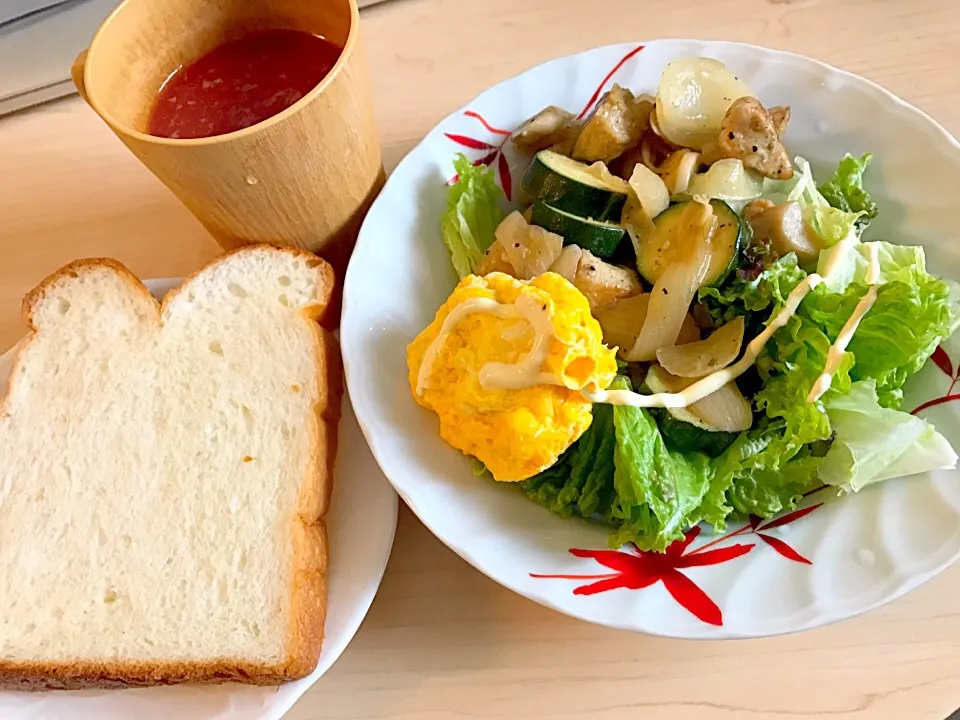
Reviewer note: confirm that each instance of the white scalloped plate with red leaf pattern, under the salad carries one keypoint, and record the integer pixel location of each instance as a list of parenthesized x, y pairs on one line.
[(798, 572)]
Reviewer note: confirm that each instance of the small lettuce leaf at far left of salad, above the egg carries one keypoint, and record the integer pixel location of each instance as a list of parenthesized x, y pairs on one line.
[(472, 215)]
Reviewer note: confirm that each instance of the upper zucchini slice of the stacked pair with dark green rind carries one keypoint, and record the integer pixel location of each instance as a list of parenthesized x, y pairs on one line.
[(572, 187)]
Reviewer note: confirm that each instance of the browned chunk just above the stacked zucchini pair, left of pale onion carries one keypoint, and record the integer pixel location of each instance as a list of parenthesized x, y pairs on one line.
[(616, 125)]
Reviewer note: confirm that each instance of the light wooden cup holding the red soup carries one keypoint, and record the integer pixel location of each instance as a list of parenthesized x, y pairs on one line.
[(304, 177)]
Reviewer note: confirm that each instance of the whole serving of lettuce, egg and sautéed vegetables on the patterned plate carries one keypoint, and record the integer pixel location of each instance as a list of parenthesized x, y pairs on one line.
[(683, 325)]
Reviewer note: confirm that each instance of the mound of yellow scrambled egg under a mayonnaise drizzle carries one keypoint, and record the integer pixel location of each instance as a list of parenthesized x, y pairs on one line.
[(515, 433)]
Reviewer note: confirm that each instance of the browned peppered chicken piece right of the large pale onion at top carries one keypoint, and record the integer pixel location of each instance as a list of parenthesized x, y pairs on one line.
[(749, 133)]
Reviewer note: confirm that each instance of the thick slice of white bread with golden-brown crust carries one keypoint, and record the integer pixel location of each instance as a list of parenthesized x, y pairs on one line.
[(164, 472)]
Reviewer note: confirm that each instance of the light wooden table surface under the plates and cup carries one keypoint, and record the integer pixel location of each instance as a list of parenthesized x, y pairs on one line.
[(441, 640)]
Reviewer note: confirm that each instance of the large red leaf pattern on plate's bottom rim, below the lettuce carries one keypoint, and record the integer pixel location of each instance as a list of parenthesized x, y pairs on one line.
[(635, 569)]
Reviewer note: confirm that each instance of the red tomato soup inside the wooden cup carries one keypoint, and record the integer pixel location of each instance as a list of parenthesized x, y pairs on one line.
[(241, 83)]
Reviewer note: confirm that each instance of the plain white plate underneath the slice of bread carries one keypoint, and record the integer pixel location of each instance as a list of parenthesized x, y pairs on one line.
[(361, 524)]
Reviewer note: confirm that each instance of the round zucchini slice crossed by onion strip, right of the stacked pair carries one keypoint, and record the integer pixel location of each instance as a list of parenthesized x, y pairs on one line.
[(666, 244)]
